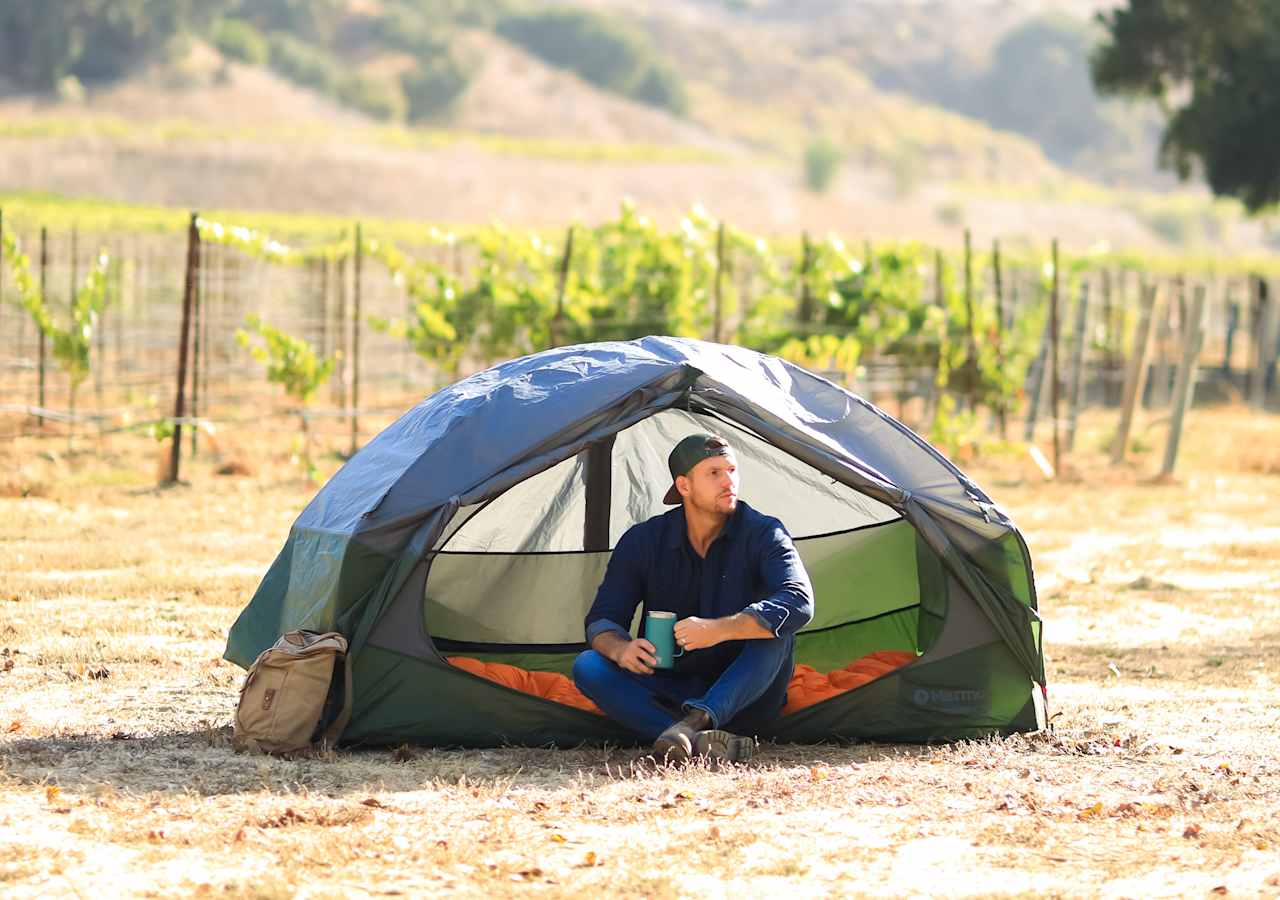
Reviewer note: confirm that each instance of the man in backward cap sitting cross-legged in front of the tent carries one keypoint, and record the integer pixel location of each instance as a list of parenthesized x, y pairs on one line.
[(740, 593)]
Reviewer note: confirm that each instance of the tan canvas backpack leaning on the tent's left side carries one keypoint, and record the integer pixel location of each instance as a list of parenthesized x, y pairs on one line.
[(289, 702)]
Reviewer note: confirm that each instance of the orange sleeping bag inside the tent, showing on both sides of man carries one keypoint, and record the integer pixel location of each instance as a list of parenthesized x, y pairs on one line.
[(808, 686)]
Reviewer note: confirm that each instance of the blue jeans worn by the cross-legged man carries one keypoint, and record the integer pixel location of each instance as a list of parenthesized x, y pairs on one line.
[(746, 698)]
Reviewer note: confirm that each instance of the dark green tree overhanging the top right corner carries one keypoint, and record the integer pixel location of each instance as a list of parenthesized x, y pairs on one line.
[(1213, 68)]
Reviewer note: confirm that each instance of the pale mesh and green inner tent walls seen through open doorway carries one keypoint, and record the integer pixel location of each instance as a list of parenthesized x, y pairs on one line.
[(513, 579)]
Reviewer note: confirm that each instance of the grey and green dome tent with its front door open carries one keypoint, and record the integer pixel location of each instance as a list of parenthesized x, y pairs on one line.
[(481, 524)]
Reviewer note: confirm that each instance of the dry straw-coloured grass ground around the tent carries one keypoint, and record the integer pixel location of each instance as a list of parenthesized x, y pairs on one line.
[(1159, 778)]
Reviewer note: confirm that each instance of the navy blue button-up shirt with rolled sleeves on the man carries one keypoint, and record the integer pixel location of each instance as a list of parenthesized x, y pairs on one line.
[(752, 567)]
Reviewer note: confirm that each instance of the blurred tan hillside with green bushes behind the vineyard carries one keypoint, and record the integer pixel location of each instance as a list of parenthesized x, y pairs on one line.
[(877, 118)]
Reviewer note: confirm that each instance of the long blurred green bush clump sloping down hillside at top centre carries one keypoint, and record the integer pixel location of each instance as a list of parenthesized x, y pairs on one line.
[(602, 51)]
